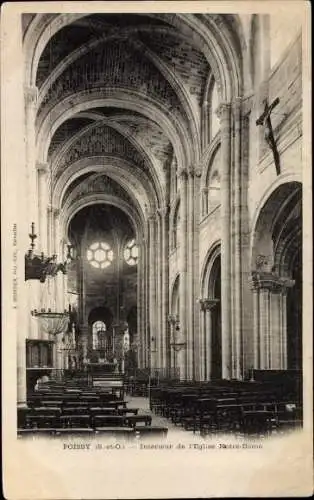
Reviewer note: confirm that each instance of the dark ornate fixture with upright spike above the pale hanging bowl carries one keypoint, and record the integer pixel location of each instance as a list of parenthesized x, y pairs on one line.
[(38, 267)]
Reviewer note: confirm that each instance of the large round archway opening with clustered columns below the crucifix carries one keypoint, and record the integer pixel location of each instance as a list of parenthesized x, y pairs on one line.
[(277, 278)]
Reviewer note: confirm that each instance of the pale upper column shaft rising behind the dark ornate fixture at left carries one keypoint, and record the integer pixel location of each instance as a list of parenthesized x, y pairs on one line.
[(42, 173)]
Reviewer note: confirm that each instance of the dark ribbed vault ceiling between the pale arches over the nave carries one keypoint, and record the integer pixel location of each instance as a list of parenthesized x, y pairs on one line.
[(114, 54)]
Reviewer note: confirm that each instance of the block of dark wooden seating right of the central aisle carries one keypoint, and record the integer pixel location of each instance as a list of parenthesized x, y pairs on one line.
[(236, 407)]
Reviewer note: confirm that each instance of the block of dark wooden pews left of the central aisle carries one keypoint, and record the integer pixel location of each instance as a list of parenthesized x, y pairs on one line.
[(61, 410)]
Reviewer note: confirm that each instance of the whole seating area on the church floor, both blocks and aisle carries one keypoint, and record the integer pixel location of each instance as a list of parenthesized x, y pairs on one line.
[(125, 409)]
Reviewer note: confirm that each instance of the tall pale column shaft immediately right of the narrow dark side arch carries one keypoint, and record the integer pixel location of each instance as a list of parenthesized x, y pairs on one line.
[(225, 130)]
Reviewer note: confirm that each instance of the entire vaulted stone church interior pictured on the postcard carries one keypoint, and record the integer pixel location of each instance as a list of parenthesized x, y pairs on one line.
[(157, 221)]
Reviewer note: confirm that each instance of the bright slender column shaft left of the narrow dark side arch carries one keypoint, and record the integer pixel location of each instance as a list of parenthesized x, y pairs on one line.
[(182, 355)]
